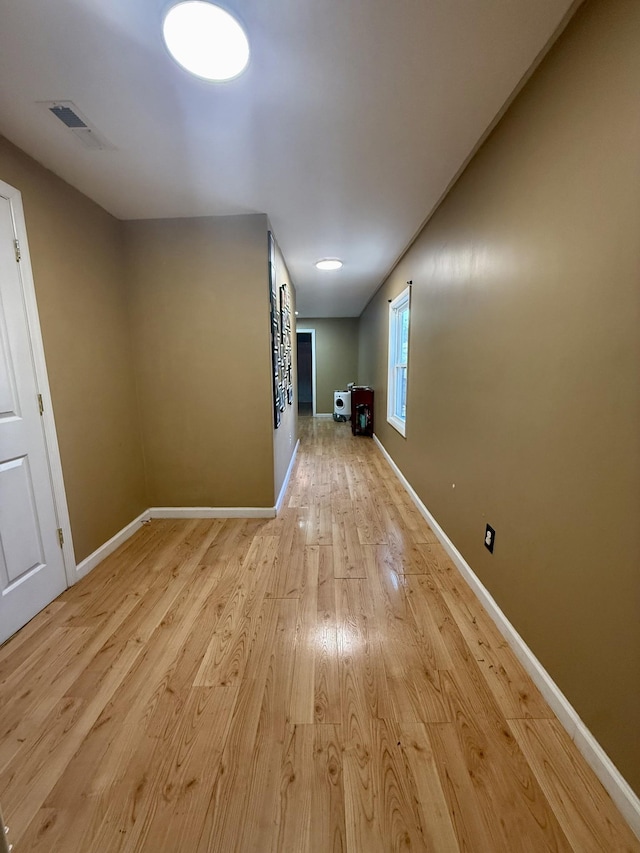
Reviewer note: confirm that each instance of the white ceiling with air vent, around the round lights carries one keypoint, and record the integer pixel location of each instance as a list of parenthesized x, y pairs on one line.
[(352, 119)]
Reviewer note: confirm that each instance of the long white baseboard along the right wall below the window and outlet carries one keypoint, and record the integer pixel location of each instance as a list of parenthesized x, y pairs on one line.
[(614, 782)]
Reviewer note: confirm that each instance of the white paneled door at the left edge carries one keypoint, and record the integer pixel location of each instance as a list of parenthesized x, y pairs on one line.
[(31, 561)]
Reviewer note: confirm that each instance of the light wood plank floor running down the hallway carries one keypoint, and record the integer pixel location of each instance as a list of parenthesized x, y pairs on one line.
[(320, 682)]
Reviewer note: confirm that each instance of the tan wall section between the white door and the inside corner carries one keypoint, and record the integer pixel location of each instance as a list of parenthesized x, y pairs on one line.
[(77, 258)]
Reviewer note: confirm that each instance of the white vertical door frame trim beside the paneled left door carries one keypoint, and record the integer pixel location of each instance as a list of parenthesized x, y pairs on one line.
[(52, 448)]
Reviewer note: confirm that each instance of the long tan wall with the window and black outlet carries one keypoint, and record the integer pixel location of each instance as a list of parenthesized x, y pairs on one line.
[(524, 388)]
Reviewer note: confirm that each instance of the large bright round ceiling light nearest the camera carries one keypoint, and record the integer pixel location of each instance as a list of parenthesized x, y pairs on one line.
[(206, 40)]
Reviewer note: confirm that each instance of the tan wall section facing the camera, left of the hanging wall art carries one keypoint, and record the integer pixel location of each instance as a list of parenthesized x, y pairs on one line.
[(200, 310)]
